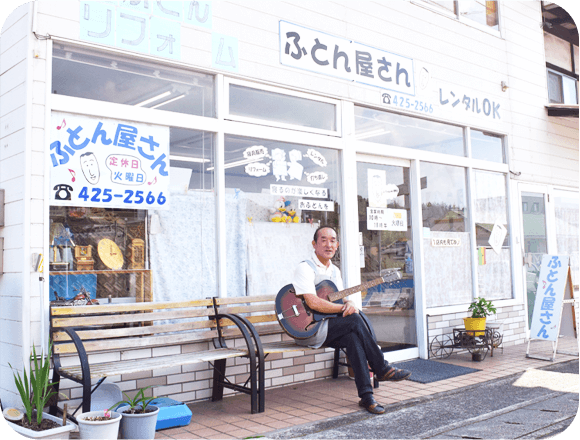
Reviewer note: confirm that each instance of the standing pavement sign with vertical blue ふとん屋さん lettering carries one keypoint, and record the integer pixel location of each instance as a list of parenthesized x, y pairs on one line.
[(549, 297)]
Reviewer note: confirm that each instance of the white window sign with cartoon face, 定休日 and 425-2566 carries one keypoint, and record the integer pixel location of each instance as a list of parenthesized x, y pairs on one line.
[(106, 163)]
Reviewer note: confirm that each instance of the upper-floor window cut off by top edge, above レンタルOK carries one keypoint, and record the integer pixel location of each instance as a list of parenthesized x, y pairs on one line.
[(482, 12)]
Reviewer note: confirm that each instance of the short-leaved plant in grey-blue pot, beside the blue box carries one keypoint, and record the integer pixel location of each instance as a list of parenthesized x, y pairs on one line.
[(139, 418)]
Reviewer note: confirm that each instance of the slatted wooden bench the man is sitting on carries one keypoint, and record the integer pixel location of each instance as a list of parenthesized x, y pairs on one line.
[(259, 312)]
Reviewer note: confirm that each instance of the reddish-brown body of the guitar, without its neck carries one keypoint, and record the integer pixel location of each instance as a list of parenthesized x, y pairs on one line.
[(295, 317)]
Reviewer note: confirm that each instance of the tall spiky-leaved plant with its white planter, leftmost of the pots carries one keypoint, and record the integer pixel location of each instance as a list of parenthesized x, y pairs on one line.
[(35, 392)]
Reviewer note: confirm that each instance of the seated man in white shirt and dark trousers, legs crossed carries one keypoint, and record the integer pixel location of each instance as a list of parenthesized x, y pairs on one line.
[(347, 331)]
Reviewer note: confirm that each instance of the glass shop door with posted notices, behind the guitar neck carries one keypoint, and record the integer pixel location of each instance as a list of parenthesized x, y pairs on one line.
[(386, 242)]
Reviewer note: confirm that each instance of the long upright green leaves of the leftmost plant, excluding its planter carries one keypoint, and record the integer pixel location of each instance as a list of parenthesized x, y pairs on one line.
[(35, 391)]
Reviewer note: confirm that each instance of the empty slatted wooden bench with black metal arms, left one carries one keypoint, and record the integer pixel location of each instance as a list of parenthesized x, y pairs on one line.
[(97, 332)]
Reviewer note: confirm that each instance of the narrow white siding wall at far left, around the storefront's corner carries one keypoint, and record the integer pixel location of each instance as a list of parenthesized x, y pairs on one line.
[(14, 47)]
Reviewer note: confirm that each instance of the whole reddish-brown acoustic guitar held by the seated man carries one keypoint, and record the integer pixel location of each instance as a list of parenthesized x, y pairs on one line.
[(300, 321)]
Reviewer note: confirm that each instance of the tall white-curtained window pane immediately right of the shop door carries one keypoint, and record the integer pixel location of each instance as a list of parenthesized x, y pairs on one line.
[(446, 235)]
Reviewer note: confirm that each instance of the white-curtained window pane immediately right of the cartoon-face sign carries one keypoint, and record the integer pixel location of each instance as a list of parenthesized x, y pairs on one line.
[(183, 238)]
